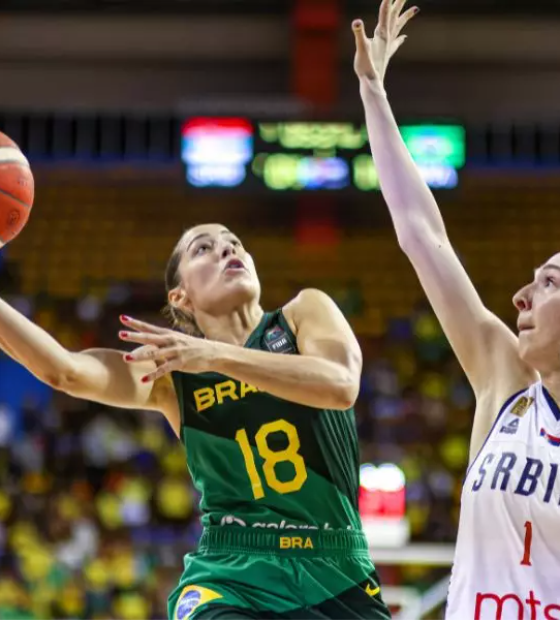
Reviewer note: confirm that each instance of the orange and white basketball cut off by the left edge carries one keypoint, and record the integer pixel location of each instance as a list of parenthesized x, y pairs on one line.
[(17, 189)]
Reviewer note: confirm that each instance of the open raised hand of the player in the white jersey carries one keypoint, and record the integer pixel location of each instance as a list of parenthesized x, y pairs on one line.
[(373, 55)]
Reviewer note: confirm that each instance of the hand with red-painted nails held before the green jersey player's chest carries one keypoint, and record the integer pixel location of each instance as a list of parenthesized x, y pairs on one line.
[(169, 349)]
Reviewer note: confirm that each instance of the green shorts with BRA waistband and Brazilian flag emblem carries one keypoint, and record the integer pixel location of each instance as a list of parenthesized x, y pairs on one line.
[(240, 573)]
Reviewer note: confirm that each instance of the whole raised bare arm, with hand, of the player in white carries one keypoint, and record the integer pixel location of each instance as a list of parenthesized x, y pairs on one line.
[(485, 347)]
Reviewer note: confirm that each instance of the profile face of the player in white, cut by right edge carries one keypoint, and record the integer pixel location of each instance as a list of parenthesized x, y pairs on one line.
[(539, 318)]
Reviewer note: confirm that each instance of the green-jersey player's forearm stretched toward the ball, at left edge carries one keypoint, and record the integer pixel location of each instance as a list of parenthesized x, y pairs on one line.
[(32, 347)]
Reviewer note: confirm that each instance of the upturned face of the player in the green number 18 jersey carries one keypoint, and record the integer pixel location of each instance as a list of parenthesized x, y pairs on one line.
[(217, 274)]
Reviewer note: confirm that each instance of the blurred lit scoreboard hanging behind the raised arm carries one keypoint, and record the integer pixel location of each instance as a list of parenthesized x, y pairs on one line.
[(297, 156)]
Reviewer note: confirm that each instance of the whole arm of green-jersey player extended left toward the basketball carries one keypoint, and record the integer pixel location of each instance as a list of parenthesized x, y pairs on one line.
[(99, 375)]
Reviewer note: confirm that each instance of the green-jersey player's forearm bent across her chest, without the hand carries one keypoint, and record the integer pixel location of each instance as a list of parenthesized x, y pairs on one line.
[(306, 380)]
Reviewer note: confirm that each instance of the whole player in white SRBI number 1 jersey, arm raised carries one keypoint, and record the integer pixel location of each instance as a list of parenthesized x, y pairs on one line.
[(507, 562)]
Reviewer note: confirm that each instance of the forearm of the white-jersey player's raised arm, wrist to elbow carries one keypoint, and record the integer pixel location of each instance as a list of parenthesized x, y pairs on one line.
[(410, 201)]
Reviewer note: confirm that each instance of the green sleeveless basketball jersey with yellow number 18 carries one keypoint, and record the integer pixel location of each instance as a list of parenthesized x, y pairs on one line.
[(260, 461)]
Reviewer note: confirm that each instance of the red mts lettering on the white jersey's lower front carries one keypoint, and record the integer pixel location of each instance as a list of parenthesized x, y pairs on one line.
[(490, 606)]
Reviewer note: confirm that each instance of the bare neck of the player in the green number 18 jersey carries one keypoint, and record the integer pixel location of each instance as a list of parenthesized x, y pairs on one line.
[(234, 327)]
